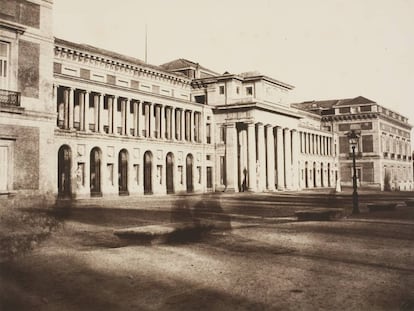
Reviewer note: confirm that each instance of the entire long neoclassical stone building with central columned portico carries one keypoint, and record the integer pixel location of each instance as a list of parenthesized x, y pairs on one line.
[(77, 121)]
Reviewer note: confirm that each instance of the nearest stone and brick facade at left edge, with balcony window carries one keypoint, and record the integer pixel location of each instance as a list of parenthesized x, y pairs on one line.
[(26, 115)]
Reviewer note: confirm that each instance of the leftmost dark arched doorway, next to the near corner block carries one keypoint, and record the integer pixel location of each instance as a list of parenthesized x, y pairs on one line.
[(64, 168)]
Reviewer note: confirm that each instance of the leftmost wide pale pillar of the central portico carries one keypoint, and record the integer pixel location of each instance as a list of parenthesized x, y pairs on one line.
[(231, 158)]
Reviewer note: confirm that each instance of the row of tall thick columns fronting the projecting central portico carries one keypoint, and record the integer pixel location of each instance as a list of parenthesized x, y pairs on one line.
[(261, 157)]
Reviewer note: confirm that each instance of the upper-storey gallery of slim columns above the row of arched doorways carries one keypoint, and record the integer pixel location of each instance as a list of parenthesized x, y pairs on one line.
[(111, 114)]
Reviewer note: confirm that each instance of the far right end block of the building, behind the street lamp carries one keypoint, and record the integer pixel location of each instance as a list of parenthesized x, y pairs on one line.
[(384, 159)]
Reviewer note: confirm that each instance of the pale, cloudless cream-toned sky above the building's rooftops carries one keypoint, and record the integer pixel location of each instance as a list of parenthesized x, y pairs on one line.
[(327, 49)]
